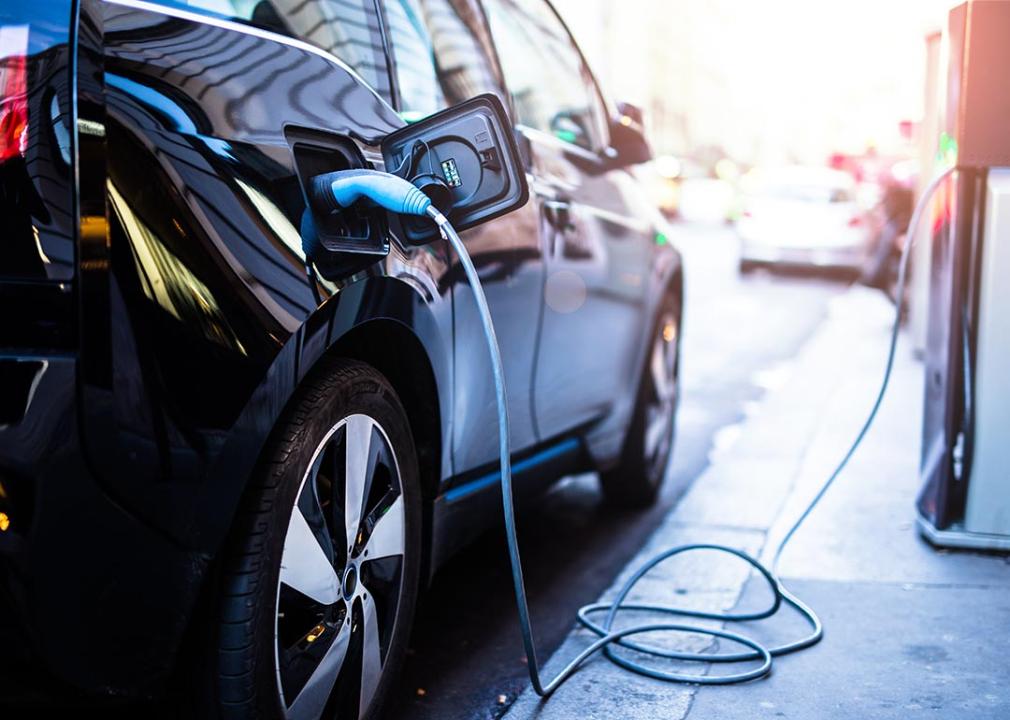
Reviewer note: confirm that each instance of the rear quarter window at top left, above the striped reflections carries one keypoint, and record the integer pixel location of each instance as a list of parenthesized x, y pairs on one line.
[(349, 30)]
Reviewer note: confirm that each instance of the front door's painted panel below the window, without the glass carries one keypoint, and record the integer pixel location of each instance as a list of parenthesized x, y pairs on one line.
[(599, 260)]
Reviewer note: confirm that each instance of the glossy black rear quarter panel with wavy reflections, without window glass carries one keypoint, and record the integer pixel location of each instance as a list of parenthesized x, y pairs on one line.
[(208, 279)]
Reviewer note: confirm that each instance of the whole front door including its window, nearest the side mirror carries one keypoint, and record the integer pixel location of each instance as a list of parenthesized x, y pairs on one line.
[(597, 226)]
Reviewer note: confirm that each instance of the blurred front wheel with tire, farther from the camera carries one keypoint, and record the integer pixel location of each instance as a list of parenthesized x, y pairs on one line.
[(637, 481)]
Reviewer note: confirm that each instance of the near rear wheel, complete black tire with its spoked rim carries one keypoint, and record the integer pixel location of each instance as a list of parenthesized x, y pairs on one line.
[(316, 604)]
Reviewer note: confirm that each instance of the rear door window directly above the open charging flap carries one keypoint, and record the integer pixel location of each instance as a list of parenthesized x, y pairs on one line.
[(442, 54)]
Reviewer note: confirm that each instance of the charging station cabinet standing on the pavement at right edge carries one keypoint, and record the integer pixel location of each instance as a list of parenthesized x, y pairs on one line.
[(965, 501)]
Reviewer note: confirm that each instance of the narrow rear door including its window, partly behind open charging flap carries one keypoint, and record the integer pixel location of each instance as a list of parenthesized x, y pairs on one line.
[(443, 56)]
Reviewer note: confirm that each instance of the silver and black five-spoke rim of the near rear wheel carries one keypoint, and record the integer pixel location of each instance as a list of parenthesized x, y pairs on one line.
[(342, 575)]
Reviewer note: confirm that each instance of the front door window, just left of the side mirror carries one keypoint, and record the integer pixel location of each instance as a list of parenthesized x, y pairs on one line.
[(552, 89)]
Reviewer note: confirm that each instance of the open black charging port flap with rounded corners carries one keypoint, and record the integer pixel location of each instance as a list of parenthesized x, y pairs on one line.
[(466, 160)]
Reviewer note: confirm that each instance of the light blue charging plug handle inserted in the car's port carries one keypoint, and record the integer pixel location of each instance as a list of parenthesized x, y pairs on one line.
[(336, 191)]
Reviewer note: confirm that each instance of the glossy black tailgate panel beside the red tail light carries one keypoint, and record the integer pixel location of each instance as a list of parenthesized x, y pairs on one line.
[(37, 192)]
